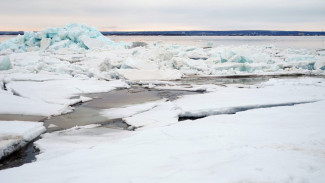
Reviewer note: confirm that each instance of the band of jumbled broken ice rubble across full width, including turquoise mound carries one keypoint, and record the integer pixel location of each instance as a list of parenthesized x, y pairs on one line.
[(82, 51)]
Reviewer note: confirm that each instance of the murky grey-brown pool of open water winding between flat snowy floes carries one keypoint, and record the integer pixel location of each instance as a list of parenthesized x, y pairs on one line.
[(89, 112)]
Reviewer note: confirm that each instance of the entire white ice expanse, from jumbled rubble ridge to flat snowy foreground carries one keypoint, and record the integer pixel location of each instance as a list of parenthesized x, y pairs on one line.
[(271, 131)]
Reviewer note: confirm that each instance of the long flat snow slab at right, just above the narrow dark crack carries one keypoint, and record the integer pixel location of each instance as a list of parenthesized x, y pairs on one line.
[(272, 93)]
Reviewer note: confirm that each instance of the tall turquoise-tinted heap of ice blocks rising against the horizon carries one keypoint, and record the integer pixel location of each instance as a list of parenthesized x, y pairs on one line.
[(71, 36)]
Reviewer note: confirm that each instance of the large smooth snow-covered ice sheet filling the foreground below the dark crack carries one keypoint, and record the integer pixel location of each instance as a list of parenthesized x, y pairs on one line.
[(280, 144)]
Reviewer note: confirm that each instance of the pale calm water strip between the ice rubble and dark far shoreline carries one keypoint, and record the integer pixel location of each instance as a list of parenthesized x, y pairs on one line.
[(301, 42)]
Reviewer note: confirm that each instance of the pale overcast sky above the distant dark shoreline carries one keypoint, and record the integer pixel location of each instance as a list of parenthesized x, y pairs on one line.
[(123, 15)]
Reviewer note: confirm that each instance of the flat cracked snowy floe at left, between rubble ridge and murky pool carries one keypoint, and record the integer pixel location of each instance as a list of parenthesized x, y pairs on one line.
[(47, 94)]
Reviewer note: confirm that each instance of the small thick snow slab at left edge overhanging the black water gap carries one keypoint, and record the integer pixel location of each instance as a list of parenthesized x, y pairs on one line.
[(16, 134)]
